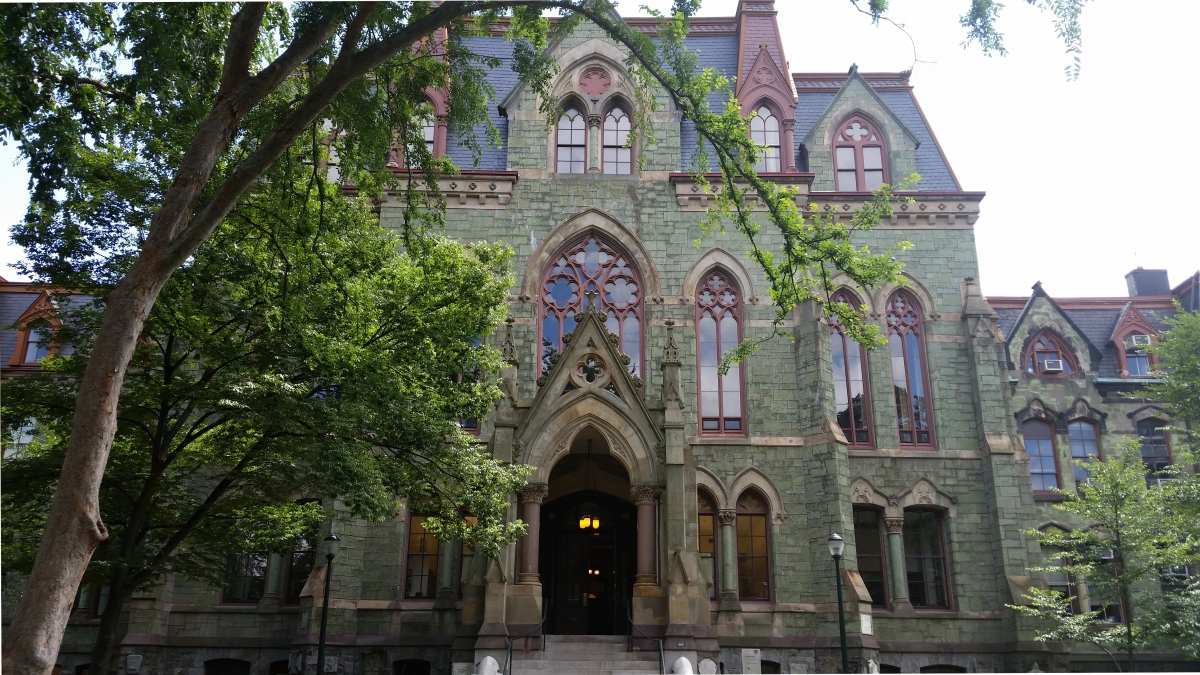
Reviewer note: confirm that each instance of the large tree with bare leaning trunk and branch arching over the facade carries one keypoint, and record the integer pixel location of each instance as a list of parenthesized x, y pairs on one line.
[(146, 126)]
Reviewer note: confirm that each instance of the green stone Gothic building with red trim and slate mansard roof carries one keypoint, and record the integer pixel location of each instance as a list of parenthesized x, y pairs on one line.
[(699, 504)]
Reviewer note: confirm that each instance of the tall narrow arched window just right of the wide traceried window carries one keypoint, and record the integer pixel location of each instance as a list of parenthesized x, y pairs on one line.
[(718, 331)]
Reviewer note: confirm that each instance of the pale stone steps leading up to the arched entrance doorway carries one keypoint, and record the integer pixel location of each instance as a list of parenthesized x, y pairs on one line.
[(586, 655)]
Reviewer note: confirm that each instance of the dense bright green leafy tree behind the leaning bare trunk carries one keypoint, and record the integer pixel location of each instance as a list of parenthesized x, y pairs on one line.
[(299, 354)]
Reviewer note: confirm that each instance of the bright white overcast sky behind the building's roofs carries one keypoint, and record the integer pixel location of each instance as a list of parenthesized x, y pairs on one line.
[(1077, 174)]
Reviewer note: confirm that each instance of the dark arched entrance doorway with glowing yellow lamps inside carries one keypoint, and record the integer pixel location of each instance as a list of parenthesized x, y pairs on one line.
[(589, 570)]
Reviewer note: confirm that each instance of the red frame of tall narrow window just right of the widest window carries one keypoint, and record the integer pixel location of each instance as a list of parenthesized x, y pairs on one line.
[(735, 312)]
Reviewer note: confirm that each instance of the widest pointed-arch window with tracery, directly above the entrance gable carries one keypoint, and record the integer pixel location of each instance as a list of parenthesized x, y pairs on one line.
[(592, 265)]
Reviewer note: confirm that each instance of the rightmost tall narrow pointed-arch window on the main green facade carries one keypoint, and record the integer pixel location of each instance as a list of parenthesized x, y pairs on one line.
[(910, 381)]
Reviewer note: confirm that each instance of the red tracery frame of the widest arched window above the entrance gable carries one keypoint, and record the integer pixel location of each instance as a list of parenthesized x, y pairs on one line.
[(637, 309)]
